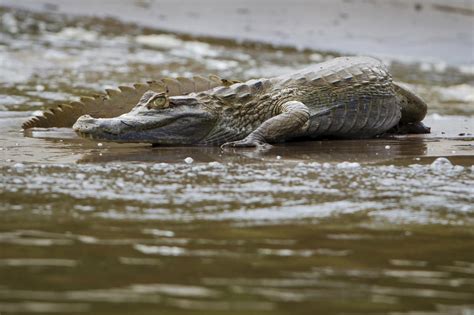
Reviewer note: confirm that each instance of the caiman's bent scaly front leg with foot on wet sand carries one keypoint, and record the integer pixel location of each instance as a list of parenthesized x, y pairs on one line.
[(292, 119)]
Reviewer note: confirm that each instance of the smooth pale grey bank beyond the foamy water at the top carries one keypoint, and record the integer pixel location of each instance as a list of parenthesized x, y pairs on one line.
[(403, 30)]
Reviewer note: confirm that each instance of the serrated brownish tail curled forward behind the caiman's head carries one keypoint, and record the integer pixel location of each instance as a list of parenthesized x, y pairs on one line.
[(117, 102)]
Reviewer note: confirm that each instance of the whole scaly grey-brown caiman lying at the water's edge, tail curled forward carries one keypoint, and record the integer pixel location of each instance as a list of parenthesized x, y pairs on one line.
[(346, 97)]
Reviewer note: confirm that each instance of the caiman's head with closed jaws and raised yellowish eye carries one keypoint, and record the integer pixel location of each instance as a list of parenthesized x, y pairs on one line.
[(156, 119)]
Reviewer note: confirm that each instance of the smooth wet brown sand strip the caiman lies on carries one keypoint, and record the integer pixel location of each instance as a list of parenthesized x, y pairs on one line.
[(452, 136)]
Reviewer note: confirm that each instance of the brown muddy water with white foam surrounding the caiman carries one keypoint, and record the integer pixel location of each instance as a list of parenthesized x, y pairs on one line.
[(381, 226)]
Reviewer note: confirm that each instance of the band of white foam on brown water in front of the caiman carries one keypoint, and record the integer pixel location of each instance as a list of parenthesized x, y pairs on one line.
[(281, 194)]
